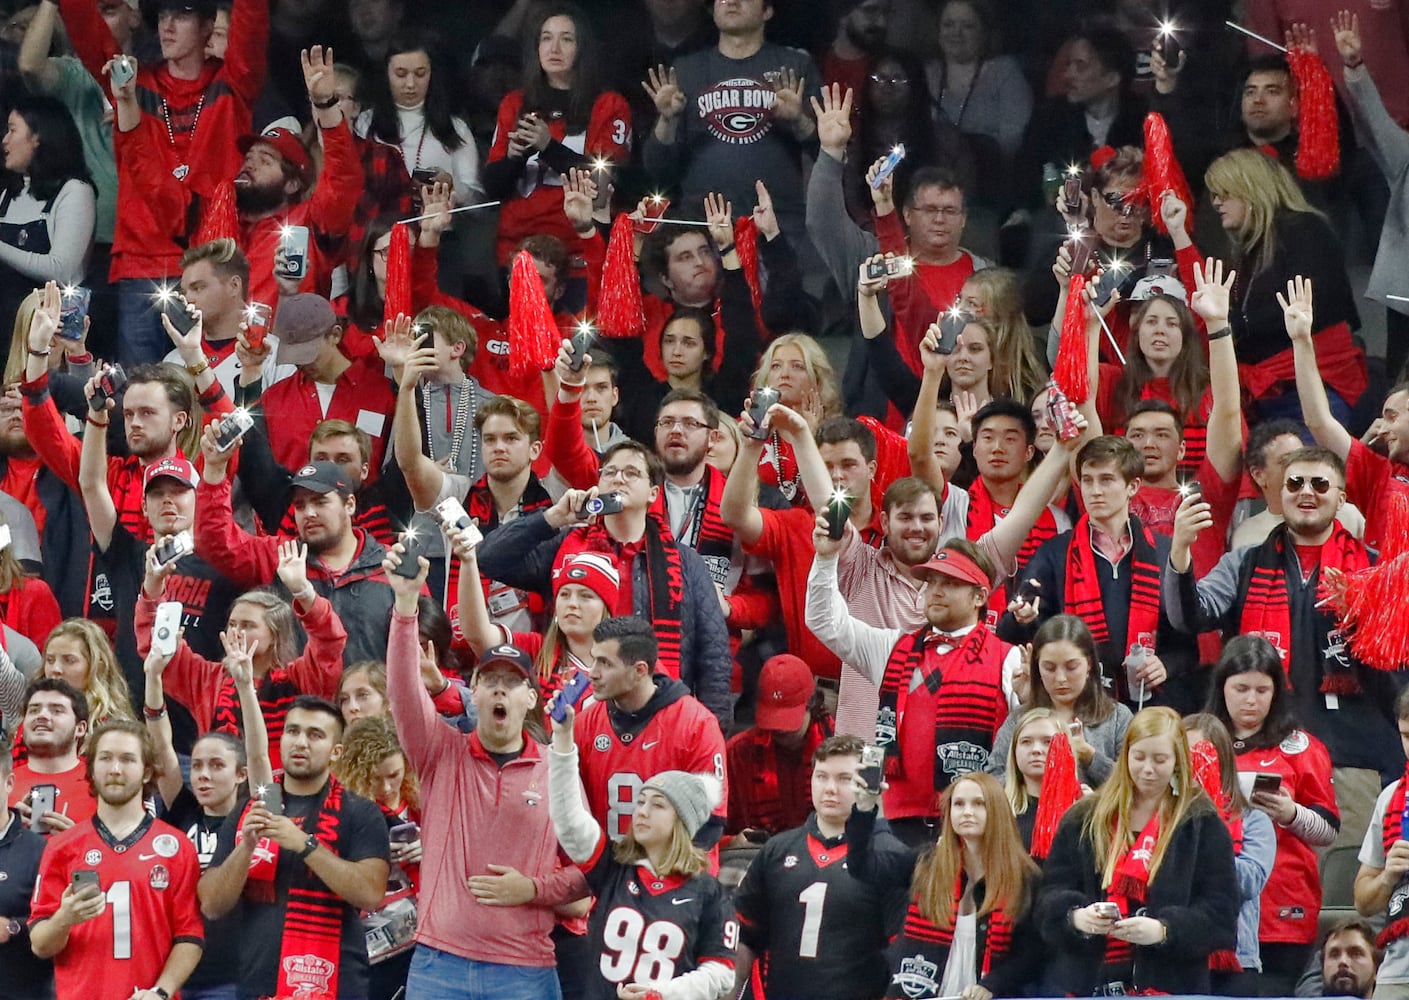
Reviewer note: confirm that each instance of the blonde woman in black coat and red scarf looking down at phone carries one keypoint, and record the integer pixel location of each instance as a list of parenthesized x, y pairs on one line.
[(1139, 889)]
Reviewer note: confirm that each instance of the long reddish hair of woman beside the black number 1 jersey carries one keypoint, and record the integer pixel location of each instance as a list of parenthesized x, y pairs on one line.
[(1008, 871)]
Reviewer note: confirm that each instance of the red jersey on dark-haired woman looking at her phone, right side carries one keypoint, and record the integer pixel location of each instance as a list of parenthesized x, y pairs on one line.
[(1293, 895)]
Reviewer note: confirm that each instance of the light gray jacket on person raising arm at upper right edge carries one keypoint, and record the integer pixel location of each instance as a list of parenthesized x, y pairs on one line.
[(1390, 146)]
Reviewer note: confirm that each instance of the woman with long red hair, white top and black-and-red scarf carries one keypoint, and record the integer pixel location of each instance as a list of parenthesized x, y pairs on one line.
[(972, 895)]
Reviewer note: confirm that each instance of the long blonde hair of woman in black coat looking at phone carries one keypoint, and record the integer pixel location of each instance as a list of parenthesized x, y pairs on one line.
[(1108, 823)]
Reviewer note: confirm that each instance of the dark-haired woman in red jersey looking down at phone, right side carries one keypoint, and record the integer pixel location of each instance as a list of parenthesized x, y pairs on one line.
[(1290, 774)]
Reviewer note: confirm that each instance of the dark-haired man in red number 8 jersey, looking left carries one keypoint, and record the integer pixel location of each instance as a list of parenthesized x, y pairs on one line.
[(642, 723)]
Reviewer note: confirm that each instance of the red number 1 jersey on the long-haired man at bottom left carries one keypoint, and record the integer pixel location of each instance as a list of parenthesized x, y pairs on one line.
[(150, 884)]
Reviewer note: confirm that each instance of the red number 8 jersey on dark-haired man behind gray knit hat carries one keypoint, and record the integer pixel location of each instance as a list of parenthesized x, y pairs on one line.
[(621, 751)]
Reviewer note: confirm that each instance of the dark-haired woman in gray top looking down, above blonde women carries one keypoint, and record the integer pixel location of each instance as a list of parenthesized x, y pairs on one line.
[(1069, 684)]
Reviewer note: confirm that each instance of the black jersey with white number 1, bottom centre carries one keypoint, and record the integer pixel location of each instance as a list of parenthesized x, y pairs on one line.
[(817, 932)]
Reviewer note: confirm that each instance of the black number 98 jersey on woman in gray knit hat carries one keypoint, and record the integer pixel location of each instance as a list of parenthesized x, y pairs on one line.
[(649, 930)]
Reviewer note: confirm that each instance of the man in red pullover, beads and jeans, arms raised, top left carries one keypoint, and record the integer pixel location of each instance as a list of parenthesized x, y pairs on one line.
[(197, 108)]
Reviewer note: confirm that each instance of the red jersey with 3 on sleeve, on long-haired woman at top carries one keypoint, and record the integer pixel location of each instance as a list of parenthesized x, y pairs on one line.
[(536, 206)]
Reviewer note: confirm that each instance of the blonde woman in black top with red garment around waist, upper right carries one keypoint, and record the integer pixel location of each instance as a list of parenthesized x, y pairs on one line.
[(1276, 236)]
